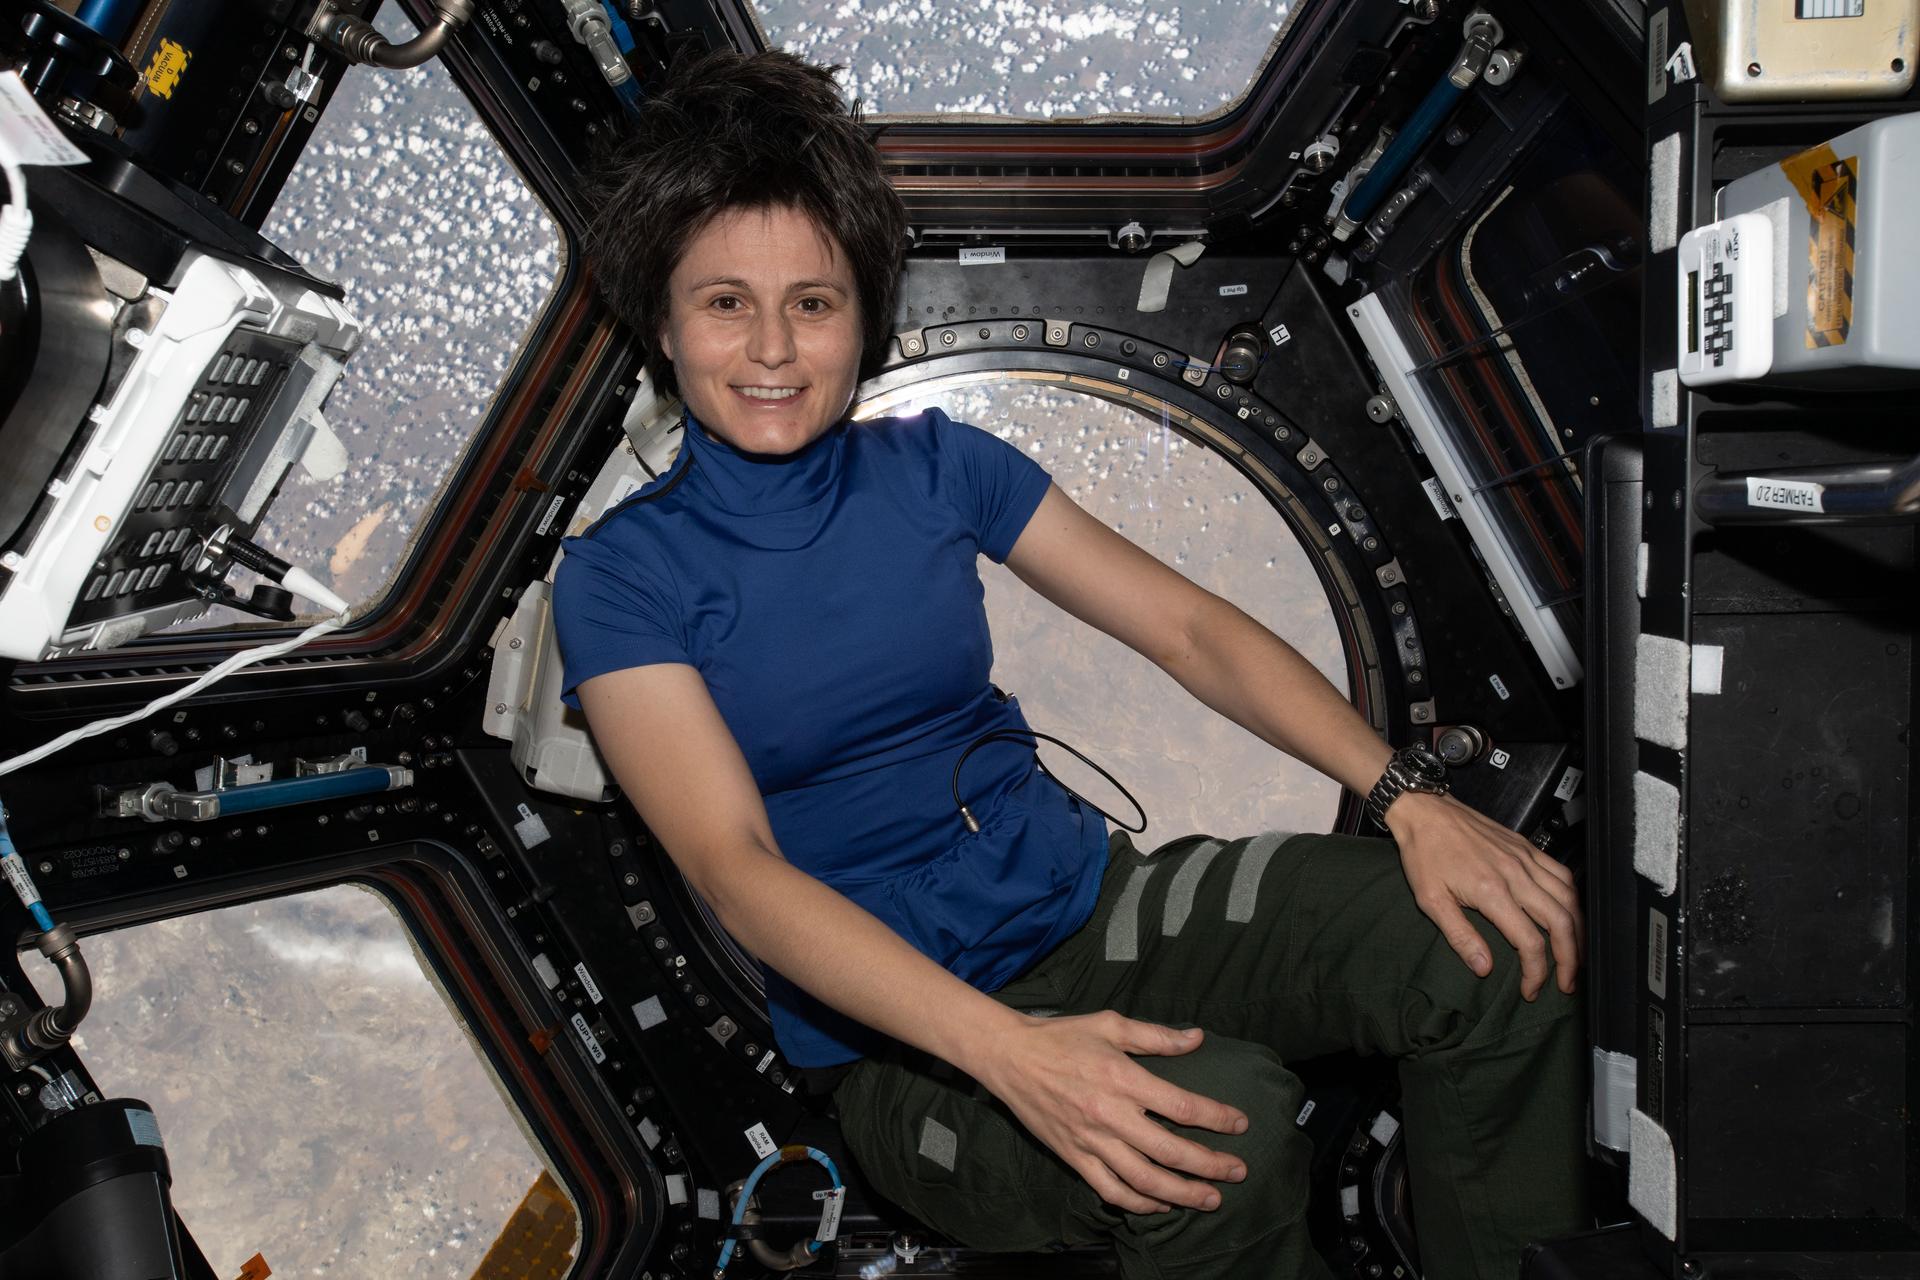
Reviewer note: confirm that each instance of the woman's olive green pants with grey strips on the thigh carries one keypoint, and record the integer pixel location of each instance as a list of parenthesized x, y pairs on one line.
[(1282, 949)]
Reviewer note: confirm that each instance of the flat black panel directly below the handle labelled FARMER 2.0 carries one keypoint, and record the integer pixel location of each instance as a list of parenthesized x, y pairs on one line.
[(1798, 853)]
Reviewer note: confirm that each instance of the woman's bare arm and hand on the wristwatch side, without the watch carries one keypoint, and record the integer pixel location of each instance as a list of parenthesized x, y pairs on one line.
[(1452, 855)]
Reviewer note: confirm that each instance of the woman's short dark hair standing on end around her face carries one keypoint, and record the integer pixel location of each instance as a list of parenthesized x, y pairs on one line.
[(740, 131)]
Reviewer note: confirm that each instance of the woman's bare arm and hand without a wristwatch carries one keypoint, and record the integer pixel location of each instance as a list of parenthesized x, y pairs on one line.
[(1068, 1079)]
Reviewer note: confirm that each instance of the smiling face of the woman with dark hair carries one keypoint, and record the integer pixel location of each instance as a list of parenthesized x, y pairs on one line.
[(763, 329)]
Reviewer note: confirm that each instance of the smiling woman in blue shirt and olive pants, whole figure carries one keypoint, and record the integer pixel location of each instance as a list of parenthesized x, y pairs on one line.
[(798, 609)]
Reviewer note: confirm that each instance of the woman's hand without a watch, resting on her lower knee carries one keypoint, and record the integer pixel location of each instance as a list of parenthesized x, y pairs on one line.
[(1072, 1085)]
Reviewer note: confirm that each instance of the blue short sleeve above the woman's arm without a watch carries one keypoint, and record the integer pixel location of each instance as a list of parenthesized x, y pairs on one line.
[(610, 615)]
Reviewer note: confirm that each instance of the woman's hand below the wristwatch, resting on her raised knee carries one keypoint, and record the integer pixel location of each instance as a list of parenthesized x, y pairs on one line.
[(1460, 859)]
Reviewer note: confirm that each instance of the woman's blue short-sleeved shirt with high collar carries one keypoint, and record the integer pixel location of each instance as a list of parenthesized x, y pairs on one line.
[(832, 604)]
